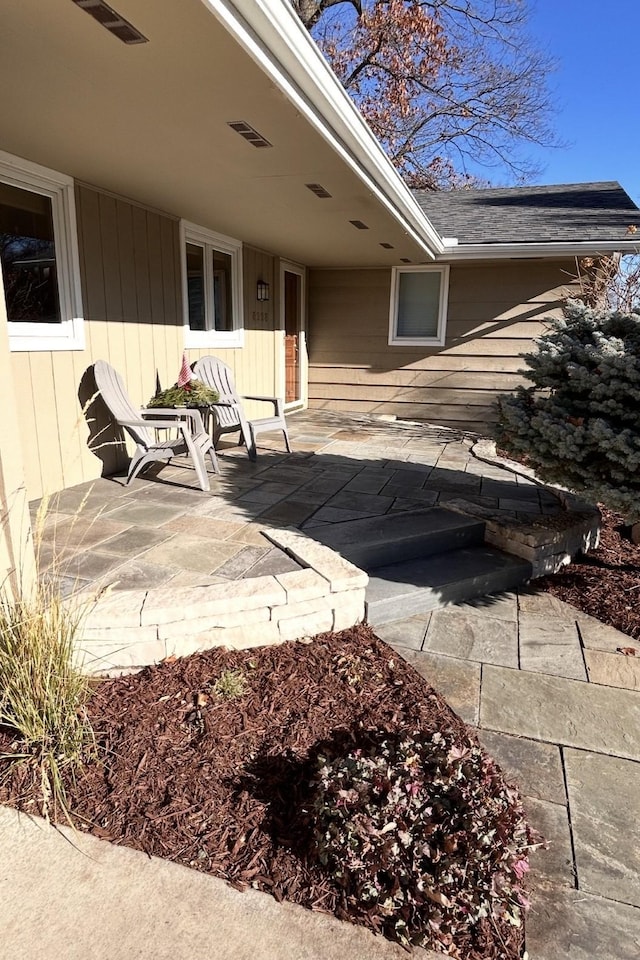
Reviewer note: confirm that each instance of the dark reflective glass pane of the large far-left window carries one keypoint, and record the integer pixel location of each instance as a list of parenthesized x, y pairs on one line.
[(27, 251)]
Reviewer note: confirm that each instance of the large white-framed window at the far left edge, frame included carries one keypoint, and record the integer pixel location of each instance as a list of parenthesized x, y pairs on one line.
[(39, 257)]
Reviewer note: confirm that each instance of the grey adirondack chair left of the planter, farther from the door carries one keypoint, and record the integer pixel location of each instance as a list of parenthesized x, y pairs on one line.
[(192, 437)]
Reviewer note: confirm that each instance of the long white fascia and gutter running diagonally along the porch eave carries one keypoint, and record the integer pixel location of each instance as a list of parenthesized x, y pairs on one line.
[(275, 38)]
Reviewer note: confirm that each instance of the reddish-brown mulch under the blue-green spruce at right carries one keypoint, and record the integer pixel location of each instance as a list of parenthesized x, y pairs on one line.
[(605, 582)]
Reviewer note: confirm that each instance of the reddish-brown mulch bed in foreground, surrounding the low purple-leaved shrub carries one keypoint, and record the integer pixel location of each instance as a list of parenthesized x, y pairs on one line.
[(220, 785)]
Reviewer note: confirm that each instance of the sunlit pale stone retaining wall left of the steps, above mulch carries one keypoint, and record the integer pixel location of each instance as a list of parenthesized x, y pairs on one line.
[(126, 630)]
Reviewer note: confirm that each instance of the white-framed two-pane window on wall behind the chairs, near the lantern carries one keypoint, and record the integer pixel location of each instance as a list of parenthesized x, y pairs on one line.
[(212, 266)]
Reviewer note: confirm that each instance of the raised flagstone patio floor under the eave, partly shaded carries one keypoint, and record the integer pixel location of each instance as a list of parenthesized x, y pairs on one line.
[(162, 529)]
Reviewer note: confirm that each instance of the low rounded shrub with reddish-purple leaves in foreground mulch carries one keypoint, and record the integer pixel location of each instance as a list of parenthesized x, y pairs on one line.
[(423, 834)]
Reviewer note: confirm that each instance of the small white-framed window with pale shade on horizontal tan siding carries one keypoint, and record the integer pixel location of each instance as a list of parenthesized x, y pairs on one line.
[(418, 310)]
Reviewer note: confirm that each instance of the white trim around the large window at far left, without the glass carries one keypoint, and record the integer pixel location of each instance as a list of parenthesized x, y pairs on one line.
[(69, 334)]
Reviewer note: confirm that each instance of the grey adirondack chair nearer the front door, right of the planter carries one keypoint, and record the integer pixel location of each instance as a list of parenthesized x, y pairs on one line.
[(228, 413)]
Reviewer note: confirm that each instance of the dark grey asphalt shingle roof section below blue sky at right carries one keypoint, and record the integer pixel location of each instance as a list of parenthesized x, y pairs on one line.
[(546, 214)]
